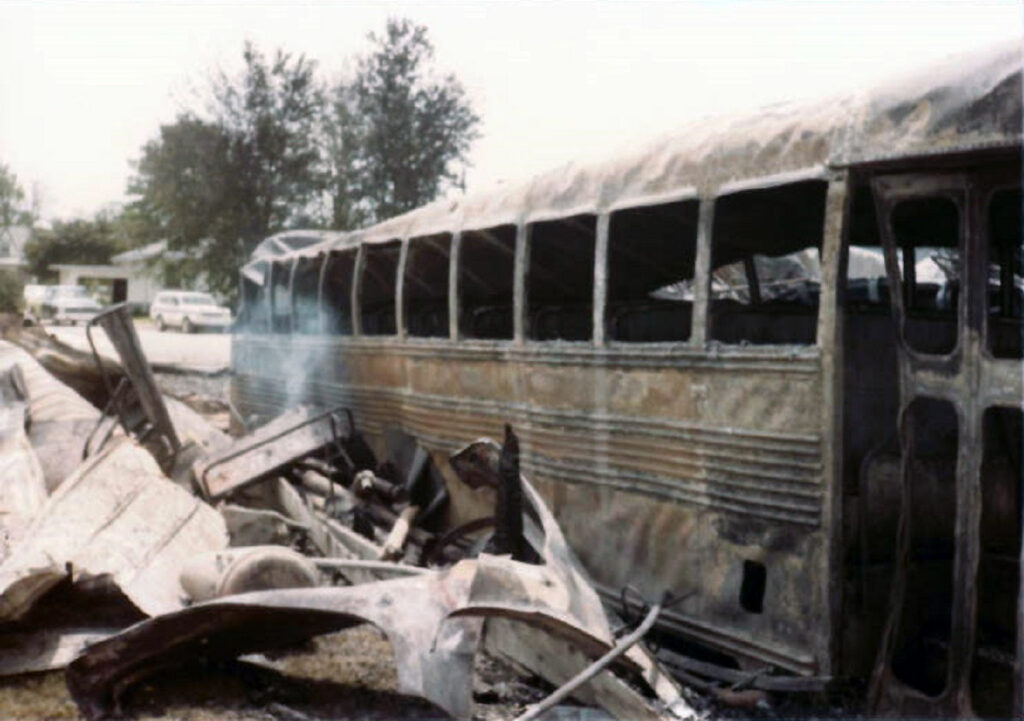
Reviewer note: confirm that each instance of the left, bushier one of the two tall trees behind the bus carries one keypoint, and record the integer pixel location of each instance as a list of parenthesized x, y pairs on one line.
[(216, 188)]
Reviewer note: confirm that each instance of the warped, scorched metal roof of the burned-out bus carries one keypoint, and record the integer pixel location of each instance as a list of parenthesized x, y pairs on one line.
[(959, 105)]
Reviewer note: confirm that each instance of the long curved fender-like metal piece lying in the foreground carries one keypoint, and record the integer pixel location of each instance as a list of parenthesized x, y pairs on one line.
[(435, 658)]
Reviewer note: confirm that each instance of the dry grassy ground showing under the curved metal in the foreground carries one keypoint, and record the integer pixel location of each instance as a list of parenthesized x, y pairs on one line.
[(350, 675)]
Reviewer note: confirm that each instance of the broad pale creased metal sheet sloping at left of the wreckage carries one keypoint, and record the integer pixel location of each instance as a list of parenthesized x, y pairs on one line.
[(117, 517)]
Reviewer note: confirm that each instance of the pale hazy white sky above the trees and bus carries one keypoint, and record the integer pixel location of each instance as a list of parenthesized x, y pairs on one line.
[(84, 84)]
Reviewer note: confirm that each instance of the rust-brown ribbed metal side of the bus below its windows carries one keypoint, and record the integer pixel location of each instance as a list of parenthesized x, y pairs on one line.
[(702, 477)]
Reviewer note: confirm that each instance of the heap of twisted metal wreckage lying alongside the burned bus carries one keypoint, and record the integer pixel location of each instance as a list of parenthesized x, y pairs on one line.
[(166, 544)]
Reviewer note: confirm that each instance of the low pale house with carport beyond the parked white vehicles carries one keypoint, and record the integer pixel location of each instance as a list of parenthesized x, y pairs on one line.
[(133, 276)]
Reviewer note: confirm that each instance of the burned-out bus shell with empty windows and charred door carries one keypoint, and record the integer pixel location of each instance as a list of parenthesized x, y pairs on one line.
[(770, 363)]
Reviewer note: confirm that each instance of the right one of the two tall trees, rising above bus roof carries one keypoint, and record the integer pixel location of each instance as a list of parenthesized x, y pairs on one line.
[(399, 135)]
